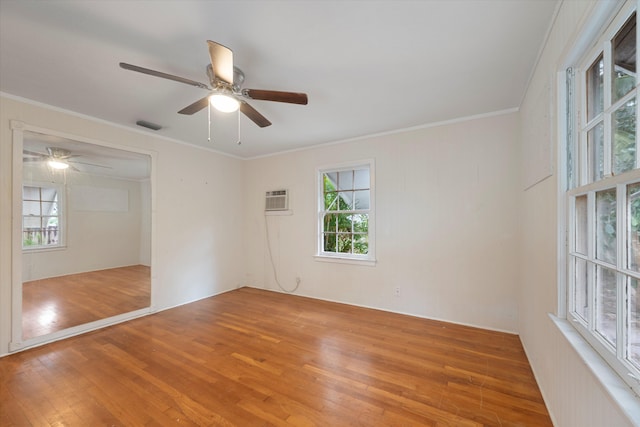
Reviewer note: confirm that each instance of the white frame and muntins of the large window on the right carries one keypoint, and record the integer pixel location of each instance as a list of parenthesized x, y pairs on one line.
[(575, 126)]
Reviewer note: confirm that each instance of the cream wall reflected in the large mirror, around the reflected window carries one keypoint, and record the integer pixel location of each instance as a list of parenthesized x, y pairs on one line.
[(95, 238)]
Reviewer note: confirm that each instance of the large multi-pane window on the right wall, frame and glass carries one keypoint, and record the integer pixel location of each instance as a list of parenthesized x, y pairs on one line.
[(603, 200)]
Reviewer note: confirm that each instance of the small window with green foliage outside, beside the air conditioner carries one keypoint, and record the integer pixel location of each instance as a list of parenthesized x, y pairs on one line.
[(345, 212)]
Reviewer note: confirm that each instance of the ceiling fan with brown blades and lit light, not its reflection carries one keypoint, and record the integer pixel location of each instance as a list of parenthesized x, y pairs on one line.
[(226, 91)]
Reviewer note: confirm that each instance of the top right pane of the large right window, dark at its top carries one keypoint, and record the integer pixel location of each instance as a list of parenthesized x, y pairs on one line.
[(624, 57)]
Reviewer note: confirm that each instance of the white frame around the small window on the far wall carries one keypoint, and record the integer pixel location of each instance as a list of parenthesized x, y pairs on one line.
[(321, 255)]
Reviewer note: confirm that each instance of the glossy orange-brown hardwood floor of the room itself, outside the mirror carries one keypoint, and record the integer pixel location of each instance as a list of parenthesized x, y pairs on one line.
[(257, 358)]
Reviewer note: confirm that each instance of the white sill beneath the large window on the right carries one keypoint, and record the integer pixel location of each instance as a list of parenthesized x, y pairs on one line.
[(620, 393)]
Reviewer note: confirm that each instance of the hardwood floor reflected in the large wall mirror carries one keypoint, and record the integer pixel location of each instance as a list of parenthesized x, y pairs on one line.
[(57, 303)]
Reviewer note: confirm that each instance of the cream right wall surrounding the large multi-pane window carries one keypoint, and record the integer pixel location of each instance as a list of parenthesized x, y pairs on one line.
[(573, 395)]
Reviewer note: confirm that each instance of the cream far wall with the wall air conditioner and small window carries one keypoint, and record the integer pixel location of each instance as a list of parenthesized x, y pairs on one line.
[(446, 223)]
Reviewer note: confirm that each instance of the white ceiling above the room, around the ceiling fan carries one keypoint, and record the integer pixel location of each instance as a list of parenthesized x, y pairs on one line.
[(368, 67)]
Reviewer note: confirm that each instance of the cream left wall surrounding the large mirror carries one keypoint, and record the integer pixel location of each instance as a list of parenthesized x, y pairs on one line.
[(197, 240)]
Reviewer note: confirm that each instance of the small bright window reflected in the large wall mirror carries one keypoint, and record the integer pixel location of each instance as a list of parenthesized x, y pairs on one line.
[(41, 217)]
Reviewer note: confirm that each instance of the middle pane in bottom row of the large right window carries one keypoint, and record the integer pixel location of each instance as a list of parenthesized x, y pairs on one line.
[(606, 303)]
